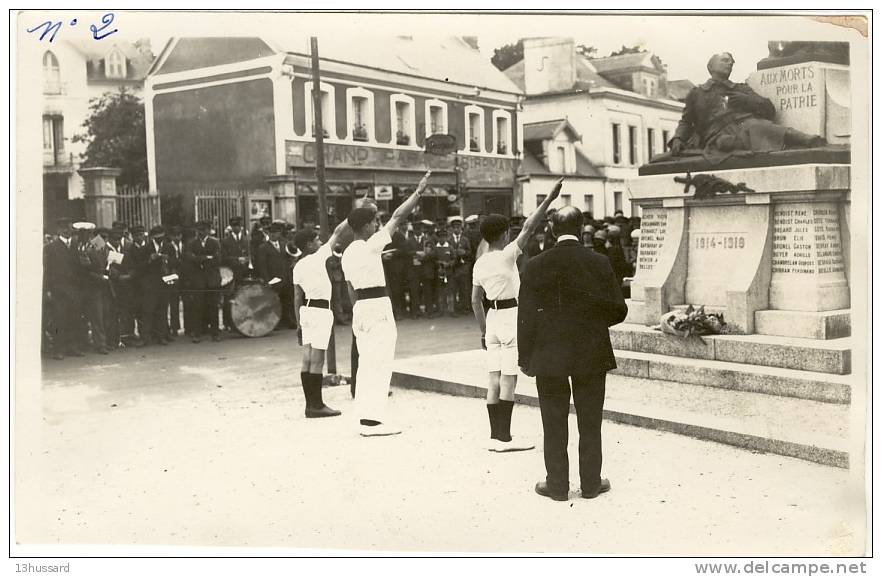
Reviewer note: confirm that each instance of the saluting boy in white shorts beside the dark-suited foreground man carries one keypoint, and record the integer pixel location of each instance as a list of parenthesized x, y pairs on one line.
[(496, 280)]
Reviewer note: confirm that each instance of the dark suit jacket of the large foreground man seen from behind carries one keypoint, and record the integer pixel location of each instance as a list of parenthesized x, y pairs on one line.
[(569, 298)]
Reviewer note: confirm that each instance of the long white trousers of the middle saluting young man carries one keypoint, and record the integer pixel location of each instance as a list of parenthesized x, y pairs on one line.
[(374, 326)]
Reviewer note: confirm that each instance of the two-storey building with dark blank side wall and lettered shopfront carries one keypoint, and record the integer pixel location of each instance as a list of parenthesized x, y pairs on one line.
[(233, 118)]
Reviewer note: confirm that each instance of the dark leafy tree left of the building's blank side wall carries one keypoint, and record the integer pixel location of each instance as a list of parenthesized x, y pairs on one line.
[(116, 136)]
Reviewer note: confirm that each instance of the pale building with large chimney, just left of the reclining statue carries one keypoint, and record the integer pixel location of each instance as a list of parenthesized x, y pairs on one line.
[(620, 105)]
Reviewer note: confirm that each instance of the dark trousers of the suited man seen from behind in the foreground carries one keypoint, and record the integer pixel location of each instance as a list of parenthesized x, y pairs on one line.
[(554, 404)]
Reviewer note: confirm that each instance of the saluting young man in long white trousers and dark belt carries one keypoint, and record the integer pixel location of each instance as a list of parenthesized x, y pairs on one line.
[(373, 321)]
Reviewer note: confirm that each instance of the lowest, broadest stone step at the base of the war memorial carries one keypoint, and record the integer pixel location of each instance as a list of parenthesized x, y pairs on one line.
[(795, 427)]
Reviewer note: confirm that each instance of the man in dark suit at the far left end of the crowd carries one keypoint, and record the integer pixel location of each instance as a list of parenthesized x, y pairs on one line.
[(61, 269)]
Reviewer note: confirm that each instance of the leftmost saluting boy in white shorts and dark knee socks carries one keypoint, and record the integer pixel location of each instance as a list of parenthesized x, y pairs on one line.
[(312, 310)]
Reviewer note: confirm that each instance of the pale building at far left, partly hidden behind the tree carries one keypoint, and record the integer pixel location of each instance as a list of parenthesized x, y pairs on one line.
[(73, 73)]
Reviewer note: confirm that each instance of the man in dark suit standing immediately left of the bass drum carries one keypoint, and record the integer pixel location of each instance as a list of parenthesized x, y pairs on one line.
[(202, 281)]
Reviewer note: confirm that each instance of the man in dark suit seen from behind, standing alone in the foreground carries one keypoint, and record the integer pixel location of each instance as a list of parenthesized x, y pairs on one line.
[(568, 300)]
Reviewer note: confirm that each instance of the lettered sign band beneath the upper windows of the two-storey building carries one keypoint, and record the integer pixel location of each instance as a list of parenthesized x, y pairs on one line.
[(476, 170)]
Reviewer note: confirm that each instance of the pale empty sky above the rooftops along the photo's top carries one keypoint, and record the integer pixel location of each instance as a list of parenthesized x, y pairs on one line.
[(683, 42)]
